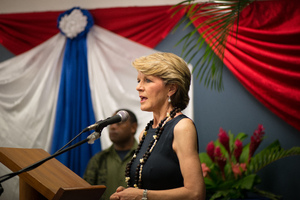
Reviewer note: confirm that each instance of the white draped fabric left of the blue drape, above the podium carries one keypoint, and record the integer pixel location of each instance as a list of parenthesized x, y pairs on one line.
[(28, 94)]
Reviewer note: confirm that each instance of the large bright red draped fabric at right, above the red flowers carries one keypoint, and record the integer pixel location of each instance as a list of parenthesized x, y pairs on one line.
[(265, 56)]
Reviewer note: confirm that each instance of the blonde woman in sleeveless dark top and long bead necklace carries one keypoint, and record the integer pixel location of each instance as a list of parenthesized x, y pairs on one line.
[(166, 164)]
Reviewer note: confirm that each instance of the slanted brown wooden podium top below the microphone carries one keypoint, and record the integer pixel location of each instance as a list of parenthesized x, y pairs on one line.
[(49, 178)]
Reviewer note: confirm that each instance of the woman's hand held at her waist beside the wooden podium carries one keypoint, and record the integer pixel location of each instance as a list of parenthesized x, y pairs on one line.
[(127, 194)]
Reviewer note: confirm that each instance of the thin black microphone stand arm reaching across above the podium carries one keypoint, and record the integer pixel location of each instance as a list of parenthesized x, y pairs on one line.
[(90, 139)]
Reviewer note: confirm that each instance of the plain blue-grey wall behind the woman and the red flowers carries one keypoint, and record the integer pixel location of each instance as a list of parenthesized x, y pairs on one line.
[(237, 110)]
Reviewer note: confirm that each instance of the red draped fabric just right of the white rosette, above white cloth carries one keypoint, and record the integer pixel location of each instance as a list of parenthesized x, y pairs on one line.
[(145, 25)]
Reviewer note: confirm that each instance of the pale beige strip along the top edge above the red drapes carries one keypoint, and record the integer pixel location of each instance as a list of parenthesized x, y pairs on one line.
[(18, 6)]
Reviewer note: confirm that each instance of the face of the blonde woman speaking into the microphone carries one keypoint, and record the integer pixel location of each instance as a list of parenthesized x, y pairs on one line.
[(153, 92)]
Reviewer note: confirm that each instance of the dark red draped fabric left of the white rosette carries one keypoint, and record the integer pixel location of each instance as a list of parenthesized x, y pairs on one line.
[(23, 31)]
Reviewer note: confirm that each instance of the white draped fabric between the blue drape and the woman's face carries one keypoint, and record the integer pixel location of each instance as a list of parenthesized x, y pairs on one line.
[(112, 77)]
